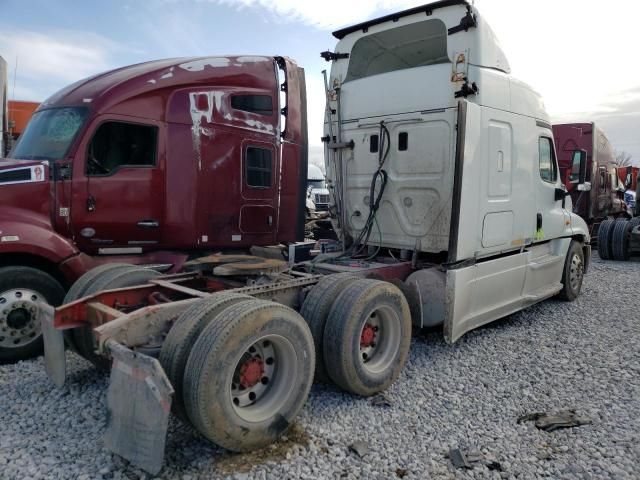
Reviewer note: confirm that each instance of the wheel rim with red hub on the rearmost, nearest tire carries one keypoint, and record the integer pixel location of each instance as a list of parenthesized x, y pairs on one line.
[(275, 358)]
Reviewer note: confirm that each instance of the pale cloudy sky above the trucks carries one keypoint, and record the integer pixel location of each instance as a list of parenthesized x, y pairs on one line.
[(579, 54)]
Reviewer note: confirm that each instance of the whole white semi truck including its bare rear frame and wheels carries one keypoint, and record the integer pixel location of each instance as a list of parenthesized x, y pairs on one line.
[(446, 195)]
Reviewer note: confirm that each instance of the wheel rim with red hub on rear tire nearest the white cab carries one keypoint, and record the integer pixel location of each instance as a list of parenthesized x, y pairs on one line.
[(378, 354)]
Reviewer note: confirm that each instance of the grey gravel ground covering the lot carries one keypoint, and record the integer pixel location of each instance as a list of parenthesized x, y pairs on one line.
[(553, 356)]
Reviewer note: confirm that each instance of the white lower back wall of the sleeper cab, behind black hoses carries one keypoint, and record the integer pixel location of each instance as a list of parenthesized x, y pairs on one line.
[(416, 205)]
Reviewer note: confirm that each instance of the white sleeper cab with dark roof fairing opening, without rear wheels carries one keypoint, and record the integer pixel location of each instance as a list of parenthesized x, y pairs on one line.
[(434, 148)]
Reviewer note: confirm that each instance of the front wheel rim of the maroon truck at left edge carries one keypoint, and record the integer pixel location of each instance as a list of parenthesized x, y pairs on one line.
[(19, 325)]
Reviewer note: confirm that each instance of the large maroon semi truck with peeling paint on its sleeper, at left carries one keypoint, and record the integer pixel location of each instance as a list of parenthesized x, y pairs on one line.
[(148, 164)]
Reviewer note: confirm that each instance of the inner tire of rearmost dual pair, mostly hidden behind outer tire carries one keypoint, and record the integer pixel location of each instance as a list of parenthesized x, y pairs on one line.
[(184, 333)]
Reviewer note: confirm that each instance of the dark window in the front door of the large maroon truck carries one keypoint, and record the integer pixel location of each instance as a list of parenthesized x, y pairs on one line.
[(118, 144)]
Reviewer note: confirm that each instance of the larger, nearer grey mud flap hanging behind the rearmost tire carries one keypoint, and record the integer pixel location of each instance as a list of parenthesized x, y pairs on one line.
[(139, 402)]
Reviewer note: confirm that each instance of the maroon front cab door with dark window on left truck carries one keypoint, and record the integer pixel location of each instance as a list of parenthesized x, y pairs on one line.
[(118, 187)]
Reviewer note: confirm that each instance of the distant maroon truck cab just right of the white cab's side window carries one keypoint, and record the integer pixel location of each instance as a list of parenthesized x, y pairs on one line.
[(604, 195)]
